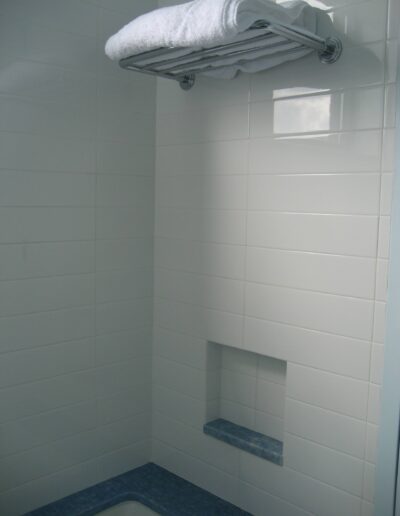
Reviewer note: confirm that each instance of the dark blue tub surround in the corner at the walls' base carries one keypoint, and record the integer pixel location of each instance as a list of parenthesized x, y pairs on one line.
[(151, 485)]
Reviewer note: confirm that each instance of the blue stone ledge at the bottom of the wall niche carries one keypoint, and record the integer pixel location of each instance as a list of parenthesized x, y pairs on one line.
[(246, 439)]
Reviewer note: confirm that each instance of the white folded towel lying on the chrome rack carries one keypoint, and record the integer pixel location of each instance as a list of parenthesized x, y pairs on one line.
[(200, 23)]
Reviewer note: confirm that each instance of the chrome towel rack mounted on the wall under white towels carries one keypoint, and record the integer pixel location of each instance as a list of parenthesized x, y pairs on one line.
[(182, 64)]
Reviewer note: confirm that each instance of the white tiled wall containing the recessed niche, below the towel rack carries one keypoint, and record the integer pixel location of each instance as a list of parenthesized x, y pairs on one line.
[(272, 221)]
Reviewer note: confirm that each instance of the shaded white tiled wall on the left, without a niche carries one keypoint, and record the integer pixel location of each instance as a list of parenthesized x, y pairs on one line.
[(76, 227)]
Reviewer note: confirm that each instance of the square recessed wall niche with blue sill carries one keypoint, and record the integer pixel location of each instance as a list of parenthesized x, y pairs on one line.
[(246, 400)]
